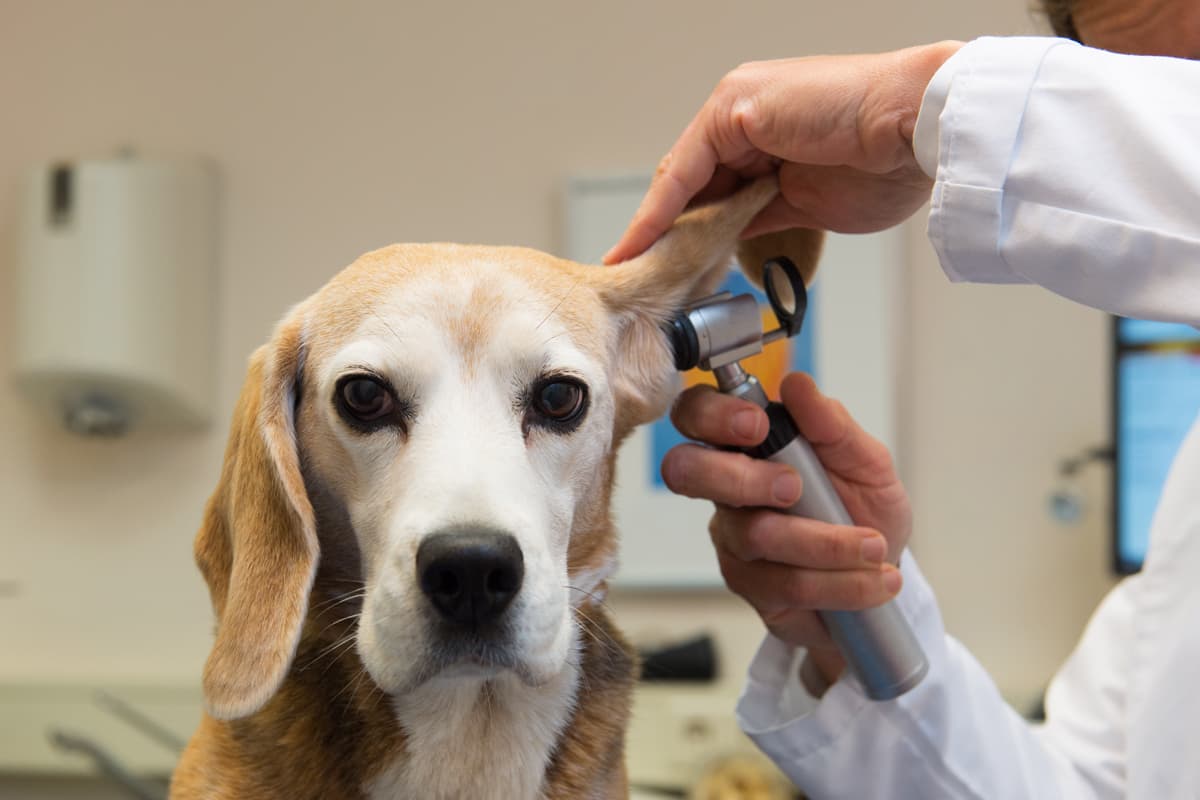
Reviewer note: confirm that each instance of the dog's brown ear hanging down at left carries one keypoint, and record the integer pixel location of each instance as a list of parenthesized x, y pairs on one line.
[(257, 548)]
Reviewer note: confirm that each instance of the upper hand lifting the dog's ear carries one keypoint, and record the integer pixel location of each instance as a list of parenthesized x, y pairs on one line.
[(838, 130)]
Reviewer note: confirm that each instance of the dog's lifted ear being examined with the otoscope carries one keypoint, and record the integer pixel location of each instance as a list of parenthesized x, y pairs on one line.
[(688, 263)]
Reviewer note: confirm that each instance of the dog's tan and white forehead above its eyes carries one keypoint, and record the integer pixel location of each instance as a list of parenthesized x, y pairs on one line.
[(476, 299)]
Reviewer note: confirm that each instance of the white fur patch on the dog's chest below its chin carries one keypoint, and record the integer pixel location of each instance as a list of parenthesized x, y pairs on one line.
[(478, 741)]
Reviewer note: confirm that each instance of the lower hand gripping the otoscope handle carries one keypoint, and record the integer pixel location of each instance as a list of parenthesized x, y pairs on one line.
[(788, 567)]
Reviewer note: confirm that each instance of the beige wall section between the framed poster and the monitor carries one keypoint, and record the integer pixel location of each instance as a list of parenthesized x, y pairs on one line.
[(1004, 384)]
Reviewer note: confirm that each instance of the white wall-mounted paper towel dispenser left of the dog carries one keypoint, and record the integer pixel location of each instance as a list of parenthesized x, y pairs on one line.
[(116, 293)]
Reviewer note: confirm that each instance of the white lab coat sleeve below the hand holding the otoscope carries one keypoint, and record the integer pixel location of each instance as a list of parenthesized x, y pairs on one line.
[(953, 736)]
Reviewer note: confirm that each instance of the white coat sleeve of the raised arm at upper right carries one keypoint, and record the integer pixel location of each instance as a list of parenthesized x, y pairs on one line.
[(1067, 167)]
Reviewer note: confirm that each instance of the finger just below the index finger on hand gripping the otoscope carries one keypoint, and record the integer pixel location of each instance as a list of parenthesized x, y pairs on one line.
[(730, 478)]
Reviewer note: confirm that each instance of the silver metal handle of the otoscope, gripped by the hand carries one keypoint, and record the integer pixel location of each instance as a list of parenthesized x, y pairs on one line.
[(878, 643)]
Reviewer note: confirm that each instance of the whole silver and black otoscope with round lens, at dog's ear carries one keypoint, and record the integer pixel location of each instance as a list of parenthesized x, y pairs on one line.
[(716, 334)]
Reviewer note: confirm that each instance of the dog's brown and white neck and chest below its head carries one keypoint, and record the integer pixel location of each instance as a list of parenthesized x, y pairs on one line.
[(331, 732)]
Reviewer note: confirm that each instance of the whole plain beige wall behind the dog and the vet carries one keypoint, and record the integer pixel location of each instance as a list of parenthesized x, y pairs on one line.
[(347, 127)]
